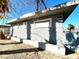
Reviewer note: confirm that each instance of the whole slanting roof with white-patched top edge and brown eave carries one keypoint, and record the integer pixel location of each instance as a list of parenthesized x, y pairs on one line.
[(65, 8)]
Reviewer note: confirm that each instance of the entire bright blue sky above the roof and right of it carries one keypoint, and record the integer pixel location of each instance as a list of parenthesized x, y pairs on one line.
[(18, 11)]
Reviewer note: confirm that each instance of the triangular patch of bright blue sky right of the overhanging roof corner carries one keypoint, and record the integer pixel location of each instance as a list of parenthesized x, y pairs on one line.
[(73, 18)]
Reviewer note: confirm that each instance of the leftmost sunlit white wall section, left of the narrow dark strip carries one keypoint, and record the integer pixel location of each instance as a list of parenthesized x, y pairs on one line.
[(20, 31)]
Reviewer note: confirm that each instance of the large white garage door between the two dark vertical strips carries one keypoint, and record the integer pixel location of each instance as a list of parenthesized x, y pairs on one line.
[(40, 31)]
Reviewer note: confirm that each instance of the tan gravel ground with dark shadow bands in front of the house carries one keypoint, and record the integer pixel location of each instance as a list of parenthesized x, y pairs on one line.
[(13, 50)]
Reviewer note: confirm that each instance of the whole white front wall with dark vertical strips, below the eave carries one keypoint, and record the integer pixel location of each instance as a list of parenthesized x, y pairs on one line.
[(43, 30)]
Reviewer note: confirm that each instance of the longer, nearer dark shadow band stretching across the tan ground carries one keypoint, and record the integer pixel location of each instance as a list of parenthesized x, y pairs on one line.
[(20, 51)]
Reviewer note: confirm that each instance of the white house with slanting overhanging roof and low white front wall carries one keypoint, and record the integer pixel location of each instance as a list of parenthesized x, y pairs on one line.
[(44, 27)]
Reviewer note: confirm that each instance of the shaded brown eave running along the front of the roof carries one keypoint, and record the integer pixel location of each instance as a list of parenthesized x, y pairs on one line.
[(58, 10)]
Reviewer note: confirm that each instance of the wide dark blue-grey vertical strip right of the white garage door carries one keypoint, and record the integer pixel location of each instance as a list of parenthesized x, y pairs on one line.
[(52, 32)]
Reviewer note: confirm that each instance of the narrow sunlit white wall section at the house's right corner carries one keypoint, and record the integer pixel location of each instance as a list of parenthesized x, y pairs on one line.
[(59, 30)]
